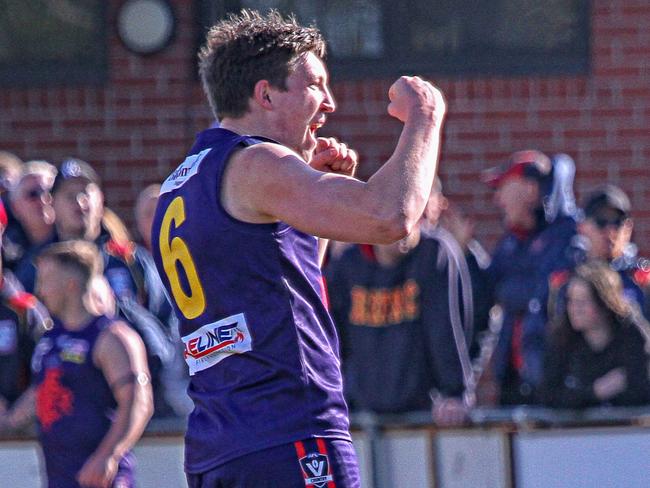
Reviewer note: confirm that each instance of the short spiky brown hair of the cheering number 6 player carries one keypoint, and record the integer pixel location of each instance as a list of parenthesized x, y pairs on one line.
[(245, 48)]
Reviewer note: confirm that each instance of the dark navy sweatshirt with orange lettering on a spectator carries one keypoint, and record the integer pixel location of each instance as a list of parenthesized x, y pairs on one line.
[(396, 336)]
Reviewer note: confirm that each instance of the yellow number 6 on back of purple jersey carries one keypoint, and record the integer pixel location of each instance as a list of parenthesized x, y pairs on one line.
[(176, 251)]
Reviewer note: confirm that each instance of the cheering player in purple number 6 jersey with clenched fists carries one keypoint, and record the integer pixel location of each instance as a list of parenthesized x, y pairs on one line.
[(235, 238)]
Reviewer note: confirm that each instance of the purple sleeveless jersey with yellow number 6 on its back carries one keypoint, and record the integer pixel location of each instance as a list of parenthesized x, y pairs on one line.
[(261, 346)]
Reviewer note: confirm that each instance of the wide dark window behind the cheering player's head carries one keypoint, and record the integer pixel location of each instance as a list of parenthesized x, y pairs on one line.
[(386, 37)]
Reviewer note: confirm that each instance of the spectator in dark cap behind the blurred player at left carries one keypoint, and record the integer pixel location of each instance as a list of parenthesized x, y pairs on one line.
[(80, 214)]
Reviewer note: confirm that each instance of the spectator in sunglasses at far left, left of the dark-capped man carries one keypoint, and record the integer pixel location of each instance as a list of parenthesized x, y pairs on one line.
[(33, 228)]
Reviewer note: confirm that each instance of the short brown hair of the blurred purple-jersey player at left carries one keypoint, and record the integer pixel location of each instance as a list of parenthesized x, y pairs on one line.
[(80, 257)]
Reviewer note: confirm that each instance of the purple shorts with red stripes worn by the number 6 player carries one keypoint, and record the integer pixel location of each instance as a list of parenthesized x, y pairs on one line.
[(310, 463)]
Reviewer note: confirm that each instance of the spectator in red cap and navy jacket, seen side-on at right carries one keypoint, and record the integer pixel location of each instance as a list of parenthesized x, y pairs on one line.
[(536, 202)]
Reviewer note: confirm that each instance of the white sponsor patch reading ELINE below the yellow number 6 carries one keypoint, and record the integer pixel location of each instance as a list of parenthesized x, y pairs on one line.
[(216, 341)]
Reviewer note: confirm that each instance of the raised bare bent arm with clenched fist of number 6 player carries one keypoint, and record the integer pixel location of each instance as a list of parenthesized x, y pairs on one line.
[(269, 182)]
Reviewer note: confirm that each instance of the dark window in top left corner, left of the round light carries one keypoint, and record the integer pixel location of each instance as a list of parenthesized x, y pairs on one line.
[(52, 41)]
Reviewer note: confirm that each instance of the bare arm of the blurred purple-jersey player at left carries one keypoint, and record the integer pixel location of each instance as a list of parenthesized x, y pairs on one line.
[(120, 354)]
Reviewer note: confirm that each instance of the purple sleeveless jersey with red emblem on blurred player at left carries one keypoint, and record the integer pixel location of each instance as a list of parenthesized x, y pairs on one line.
[(74, 403)]
